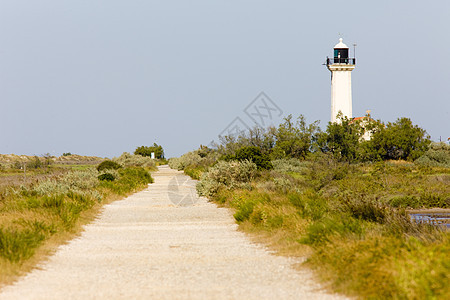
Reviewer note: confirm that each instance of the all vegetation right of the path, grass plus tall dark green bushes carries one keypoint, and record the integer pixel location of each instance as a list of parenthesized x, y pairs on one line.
[(338, 200)]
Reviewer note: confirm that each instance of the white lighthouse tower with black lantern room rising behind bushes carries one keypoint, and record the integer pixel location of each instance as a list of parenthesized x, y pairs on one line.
[(341, 67)]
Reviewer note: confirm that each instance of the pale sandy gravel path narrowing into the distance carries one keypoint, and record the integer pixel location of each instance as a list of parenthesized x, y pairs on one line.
[(145, 247)]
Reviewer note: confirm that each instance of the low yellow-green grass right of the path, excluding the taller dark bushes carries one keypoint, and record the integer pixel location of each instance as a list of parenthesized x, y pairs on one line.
[(350, 221)]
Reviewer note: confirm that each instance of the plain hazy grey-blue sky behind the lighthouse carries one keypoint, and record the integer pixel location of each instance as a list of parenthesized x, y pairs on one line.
[(104, 77)]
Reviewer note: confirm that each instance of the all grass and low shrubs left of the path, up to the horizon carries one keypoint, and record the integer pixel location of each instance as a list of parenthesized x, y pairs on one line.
[(45, 205)]
